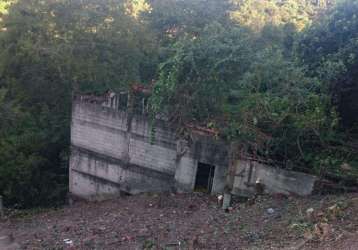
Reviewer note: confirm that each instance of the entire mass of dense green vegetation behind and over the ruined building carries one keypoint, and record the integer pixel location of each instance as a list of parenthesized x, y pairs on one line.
[(280, 77)]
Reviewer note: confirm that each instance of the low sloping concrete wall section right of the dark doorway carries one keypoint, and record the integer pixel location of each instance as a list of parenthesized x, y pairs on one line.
[(275, 180)]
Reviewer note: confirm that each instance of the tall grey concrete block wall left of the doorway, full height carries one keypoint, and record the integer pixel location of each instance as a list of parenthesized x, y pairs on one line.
[(105, 160)]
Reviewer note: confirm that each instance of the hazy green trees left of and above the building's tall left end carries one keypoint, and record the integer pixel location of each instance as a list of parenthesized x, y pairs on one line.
[(49, 49)]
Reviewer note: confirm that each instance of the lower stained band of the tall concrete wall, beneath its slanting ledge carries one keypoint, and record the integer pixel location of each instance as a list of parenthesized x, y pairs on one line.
[(95, 176)]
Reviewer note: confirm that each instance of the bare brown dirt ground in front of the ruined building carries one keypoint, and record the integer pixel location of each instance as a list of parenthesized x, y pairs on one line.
[(192, 221)]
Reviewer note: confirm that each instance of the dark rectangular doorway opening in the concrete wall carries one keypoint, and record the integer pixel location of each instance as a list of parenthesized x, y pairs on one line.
[(204, 178)]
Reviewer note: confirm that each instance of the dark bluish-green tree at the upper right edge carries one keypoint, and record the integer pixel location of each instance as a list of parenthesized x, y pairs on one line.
[(329, 48)]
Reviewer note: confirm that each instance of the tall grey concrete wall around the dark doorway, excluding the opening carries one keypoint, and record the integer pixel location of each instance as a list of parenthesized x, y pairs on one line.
[(112, 152)]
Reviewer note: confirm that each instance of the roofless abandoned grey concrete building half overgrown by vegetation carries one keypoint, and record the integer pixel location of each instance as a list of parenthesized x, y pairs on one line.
[(114, 150)]
